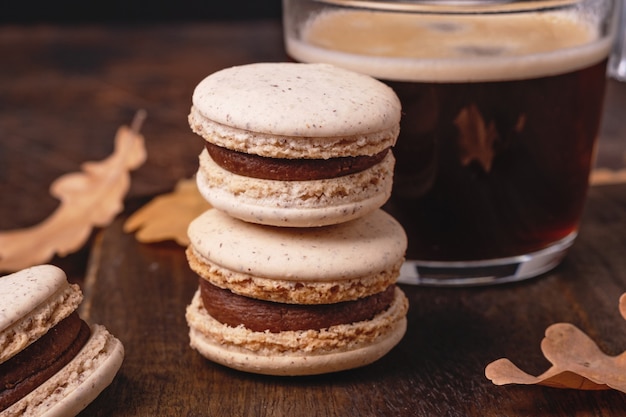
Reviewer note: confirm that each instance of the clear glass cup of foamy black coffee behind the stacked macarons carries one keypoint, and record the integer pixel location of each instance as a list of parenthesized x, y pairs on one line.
[(501, 105)]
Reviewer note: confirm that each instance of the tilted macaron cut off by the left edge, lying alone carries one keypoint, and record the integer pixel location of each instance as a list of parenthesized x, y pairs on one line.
[(52, 363)]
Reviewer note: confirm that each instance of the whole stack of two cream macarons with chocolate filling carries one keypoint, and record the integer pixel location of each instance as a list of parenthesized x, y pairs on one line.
[(297, 262)]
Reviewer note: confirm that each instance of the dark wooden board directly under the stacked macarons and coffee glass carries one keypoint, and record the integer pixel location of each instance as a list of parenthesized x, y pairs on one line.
[(140, 291)]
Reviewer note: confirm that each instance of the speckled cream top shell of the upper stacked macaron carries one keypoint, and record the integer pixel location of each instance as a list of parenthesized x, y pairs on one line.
[(296, 111)]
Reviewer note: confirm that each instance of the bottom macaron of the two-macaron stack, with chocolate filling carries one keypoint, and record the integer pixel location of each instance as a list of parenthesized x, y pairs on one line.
[(296, 301)]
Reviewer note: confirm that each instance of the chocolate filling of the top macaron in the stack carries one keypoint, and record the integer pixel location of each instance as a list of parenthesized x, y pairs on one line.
[(256, 166)]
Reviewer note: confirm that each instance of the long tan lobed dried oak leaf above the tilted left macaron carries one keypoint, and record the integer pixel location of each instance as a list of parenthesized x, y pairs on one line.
[(89, 198)]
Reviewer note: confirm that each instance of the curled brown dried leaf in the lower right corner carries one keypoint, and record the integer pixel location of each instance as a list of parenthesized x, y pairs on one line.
[(577, 362)]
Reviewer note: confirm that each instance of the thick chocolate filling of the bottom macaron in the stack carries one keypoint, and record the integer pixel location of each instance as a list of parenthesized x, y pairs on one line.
[(259, 315)]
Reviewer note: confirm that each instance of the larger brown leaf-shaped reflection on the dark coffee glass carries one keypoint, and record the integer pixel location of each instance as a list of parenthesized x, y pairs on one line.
[(476, 139)]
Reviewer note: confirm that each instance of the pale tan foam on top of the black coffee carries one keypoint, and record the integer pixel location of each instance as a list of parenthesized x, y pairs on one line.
[(411, 47)]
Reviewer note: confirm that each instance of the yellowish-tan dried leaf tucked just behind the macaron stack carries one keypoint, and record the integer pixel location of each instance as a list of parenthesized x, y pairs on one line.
[(167, 216)]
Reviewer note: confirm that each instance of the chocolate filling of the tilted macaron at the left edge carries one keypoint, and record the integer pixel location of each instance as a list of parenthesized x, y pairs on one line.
[(38, 362)]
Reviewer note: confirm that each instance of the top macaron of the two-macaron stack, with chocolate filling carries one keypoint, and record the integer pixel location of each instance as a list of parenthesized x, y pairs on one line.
[(298, 145)]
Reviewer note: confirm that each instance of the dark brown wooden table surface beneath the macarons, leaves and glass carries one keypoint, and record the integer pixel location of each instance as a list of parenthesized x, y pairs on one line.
[(63, 93)]
